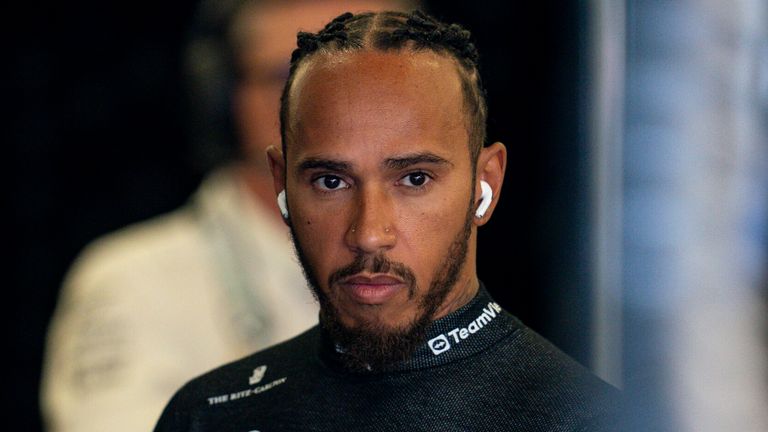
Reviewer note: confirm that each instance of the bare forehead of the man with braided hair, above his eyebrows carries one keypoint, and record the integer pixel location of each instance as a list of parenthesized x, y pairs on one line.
[(372, 99)]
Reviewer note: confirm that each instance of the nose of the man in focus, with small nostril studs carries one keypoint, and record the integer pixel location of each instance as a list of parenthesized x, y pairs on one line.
[(372, 228)]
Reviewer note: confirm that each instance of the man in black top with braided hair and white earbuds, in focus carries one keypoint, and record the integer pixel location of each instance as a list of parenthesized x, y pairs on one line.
[(384, 180)]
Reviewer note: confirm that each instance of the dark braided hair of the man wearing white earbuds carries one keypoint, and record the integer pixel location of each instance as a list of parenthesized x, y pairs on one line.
[(386, 31)]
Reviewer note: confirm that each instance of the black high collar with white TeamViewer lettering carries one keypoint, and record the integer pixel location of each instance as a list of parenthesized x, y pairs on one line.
[(466, 331)]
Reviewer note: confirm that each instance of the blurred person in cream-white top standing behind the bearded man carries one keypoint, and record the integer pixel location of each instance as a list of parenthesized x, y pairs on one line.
[(149, 307)]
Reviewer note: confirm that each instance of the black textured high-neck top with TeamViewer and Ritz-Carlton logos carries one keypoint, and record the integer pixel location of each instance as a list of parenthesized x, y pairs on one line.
[(481, 370)]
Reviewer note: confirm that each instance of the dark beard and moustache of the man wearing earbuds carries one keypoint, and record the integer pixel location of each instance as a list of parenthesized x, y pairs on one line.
[(373, 345)]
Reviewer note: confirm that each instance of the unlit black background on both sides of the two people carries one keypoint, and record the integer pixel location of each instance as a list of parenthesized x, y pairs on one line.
[(96, 140)]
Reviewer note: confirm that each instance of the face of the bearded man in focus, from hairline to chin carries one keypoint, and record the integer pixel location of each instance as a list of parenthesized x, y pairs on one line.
[(379, 184)]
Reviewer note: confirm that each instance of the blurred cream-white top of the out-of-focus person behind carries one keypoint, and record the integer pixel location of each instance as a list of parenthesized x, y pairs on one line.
[(149, 307)]
